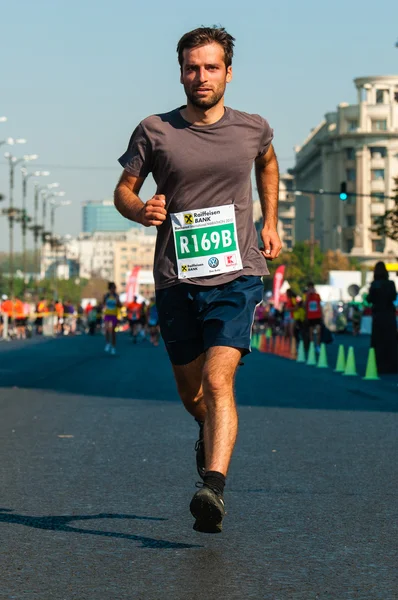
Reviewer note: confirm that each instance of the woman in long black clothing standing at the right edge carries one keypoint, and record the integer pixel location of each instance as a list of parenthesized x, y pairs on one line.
[(382, 295)]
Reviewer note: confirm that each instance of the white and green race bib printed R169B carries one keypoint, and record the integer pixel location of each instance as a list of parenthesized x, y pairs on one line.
[(206, 242)]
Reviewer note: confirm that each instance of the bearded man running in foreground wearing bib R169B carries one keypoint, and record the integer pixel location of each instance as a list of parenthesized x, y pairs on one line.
[(207, 266)]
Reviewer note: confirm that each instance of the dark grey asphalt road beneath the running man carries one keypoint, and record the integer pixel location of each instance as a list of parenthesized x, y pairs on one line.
[(97, 471)]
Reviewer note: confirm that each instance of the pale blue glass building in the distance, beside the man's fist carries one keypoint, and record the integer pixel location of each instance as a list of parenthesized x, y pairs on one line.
[(101, 215)]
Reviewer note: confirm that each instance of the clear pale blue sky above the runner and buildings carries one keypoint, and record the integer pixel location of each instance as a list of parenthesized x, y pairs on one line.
[(77, 76)]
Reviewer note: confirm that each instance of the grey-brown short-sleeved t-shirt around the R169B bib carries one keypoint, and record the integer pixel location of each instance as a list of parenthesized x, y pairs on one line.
[(201, 167)]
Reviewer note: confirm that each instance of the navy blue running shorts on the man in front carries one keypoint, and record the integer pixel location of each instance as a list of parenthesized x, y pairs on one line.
[(194, 318)]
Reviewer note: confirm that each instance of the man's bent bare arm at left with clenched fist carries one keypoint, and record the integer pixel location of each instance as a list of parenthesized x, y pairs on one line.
[(130, 205)]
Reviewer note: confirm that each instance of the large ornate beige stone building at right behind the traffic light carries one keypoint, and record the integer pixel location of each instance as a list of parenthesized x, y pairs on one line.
[(357, 144)]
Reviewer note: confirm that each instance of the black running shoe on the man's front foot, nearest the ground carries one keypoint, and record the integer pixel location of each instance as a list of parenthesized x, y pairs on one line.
[(208, 509)]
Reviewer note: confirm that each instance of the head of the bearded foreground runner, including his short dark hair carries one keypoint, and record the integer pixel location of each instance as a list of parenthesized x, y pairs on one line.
[(205, 57)]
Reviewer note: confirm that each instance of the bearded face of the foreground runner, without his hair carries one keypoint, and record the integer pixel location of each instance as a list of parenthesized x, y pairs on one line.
[(204, 75)]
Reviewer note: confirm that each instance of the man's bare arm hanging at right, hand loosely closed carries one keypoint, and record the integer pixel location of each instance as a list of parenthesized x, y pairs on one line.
[(267, 177)]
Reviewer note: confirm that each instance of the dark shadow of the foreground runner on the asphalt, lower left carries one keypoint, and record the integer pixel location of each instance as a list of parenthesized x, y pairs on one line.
[(62, 523)]
